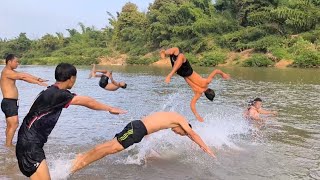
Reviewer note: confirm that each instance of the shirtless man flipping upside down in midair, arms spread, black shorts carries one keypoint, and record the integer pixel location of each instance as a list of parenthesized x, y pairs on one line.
[(198, 84)]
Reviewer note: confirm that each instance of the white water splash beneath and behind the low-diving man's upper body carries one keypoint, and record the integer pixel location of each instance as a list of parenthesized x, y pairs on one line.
[(221, 129)]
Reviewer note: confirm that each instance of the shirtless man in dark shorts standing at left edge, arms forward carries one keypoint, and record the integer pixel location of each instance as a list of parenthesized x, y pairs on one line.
[(9, 104)]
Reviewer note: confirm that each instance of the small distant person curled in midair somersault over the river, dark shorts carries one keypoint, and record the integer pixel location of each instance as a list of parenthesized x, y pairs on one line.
[(105, 76)]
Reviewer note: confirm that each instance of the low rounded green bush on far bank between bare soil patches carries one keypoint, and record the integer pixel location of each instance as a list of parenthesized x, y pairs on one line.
[(258, 60)]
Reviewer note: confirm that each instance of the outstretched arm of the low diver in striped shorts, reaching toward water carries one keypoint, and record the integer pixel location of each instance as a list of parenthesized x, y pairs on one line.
[(195, 137)]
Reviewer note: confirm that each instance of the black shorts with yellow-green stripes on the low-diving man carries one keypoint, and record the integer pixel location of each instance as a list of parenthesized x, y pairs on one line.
[(132, 133)]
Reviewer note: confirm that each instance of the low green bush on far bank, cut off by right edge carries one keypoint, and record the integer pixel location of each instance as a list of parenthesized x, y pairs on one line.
[(307, 59)]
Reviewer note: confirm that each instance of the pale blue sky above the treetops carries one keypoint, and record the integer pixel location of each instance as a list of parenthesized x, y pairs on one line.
[(39, 17)]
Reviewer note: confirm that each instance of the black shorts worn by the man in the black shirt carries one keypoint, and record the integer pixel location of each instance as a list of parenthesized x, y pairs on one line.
[(29, 156)]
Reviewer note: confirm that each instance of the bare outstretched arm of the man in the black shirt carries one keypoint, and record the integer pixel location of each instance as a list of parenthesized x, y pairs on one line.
[(95, 105)]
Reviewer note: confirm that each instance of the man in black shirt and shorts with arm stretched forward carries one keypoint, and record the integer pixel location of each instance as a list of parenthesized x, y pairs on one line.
[(43, 116)]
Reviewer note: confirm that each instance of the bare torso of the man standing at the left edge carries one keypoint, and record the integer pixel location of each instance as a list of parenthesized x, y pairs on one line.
[(8, 86)]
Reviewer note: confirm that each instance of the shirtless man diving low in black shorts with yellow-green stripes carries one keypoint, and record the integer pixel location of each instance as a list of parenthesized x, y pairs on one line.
[(134, 133)]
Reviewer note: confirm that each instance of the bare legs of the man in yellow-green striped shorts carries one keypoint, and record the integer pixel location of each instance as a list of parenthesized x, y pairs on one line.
[(100, 151)]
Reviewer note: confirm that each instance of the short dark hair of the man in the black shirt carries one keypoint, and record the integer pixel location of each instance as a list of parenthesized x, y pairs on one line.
[(65, 71)]
